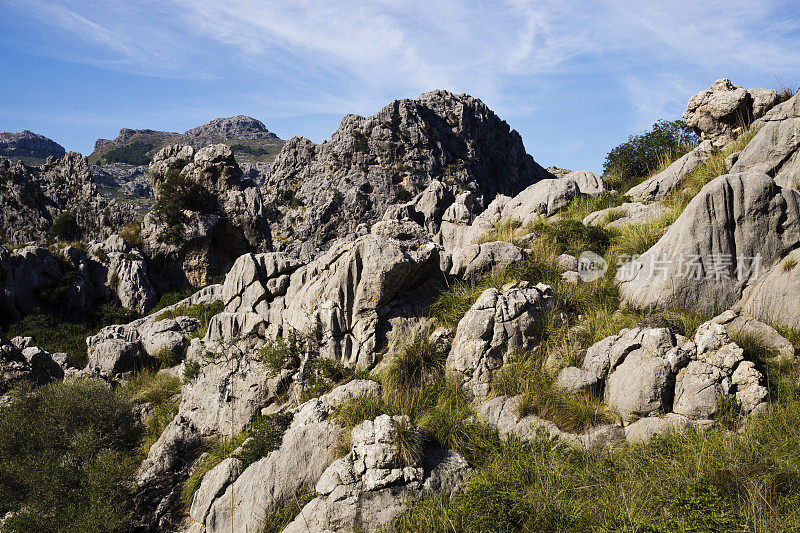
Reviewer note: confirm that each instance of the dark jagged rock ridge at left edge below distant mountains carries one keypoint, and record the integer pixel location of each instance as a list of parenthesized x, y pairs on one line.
[(31, 197)]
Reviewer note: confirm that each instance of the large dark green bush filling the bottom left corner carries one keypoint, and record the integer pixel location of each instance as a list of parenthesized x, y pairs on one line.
[(65, 458)]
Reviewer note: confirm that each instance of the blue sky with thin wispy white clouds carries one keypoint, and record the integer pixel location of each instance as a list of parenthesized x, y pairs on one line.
[(574, 78)]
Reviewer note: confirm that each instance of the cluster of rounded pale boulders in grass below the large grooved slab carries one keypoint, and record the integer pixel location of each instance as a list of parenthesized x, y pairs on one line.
[(651, 372)]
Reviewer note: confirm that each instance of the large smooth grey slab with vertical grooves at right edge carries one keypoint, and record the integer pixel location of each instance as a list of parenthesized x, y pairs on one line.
[(737, 227)]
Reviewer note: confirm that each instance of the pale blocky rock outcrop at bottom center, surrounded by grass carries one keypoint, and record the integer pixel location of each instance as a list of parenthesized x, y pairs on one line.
[(368, 487)]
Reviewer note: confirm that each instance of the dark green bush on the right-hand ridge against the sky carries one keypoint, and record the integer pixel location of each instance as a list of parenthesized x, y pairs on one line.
[(641, 154)]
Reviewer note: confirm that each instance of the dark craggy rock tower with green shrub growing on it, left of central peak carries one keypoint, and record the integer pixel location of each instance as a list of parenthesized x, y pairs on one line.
[(221, 219)]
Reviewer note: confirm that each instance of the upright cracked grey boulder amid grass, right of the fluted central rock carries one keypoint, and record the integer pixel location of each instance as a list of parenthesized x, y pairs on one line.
[(499, 325)]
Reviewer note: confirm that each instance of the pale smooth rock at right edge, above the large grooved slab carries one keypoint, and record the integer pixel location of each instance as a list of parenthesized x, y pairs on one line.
[(775, 149)]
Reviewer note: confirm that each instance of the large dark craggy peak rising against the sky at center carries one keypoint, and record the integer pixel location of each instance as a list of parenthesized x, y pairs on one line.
[(321, 192)]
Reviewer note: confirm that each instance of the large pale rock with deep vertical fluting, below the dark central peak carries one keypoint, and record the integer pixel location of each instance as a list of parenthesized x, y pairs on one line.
[(349, 294)]
